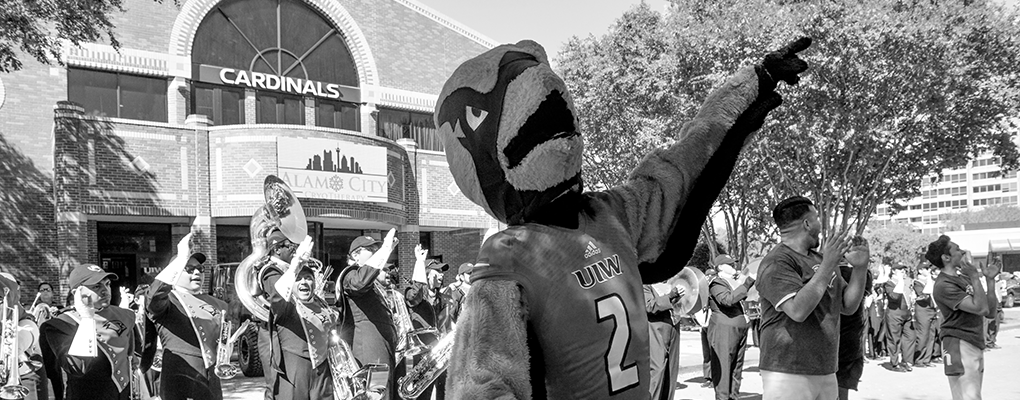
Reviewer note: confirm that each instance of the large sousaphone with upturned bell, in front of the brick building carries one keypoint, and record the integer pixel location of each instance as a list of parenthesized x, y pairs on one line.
[(281, 212)]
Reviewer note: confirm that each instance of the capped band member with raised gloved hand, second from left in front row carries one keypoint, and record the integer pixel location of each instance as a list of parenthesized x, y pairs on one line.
[(189, 324)]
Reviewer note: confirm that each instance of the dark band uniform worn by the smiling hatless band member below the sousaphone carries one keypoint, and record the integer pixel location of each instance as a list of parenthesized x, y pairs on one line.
[(300, 337)]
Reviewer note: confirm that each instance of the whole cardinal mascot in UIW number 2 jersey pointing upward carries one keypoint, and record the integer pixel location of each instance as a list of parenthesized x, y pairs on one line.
[(556, 307)]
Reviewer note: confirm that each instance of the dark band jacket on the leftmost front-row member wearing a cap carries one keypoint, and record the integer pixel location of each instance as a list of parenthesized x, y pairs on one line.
[(107, 376)]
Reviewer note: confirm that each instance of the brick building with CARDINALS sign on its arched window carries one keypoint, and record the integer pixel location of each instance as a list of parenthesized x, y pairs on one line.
[(115, 157)]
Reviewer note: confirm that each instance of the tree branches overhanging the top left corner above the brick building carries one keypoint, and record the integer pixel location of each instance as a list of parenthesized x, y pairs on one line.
[(38, 28)]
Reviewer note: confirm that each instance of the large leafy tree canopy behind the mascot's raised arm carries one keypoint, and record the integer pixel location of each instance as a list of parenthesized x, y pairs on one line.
[(898, 91)]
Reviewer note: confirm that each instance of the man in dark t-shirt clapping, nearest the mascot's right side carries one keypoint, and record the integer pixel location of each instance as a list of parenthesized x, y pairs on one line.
[(802, 298)]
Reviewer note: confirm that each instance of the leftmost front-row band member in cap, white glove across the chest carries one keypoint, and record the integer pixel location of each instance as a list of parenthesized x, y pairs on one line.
[(94, 343)]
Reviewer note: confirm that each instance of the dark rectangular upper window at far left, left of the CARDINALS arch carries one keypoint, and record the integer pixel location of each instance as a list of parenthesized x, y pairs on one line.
[(119, 95)]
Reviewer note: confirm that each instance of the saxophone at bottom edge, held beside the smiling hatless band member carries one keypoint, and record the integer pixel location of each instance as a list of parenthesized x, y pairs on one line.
[(349, 382)]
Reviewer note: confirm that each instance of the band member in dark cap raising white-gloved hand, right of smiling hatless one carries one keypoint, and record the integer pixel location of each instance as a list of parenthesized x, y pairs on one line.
[(368, 323)]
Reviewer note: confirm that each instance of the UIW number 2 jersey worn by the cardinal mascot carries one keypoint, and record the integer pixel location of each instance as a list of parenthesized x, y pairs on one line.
[(585, 299)]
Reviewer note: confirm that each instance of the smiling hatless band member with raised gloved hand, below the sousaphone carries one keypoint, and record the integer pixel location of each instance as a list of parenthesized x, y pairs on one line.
[(302, 325)]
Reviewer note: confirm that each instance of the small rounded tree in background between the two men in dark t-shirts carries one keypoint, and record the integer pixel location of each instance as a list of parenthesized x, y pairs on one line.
[(898, 243)]
